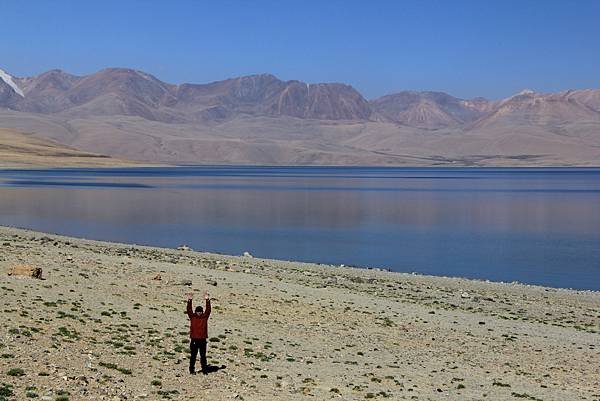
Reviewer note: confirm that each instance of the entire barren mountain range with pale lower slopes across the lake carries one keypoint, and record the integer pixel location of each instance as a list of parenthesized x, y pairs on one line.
[(260, 119)]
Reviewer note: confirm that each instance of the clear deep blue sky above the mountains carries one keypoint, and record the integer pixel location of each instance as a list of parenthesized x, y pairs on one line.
[(465, 48)]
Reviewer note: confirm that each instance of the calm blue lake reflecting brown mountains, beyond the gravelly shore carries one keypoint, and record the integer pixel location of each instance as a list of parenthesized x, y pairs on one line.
[(539, 226)]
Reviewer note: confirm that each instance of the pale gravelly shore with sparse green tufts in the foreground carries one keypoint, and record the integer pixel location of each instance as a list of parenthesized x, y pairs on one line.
[(99, 326)]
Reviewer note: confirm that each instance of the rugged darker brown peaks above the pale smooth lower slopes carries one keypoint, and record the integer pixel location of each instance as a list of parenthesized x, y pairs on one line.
[(136, 93)]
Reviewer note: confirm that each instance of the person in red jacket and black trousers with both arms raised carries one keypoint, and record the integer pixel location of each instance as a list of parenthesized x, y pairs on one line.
[(198, 333)]
